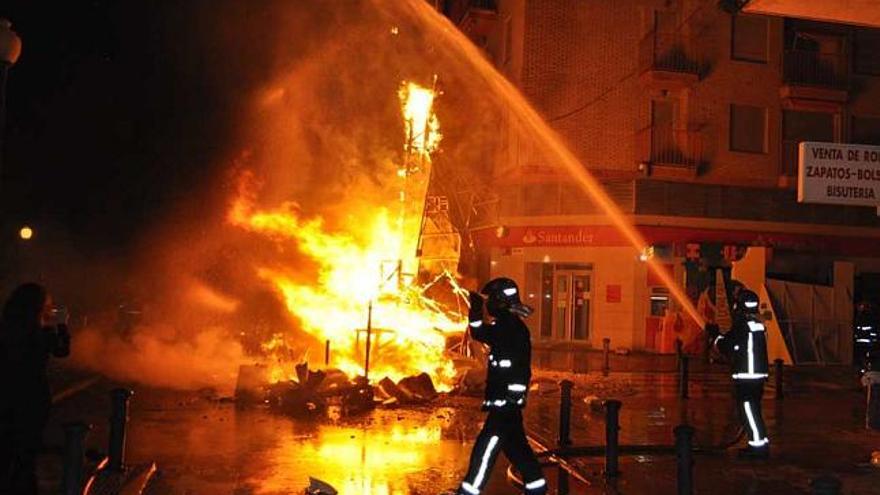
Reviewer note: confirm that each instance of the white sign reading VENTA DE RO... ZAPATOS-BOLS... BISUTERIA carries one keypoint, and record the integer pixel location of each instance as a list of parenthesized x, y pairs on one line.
[(839, 174)]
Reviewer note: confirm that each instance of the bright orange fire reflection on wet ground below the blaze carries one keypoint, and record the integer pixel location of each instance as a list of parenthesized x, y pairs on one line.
[(205, 446)]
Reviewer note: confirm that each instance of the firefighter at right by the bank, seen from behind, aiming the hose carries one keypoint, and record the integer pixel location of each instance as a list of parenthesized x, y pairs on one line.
[(746, 346)]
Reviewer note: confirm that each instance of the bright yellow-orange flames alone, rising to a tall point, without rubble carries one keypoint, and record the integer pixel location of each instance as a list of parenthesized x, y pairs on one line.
[(369, 264)]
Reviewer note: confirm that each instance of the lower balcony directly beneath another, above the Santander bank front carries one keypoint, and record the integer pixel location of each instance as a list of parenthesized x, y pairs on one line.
[(670, 152)]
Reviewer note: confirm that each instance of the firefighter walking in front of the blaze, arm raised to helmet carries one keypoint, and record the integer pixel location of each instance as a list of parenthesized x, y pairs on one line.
[(507, 384)]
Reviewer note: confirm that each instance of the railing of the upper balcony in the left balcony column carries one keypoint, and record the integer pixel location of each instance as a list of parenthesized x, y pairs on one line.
[(670, 52)]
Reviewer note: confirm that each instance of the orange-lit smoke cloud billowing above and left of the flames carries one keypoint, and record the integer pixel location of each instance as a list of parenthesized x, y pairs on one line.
[(320, 131)]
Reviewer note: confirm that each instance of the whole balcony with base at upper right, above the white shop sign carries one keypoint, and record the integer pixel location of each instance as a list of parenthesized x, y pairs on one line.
[(813, 76)]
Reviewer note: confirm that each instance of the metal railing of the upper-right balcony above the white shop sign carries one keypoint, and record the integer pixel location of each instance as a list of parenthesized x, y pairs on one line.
[(808, 68)]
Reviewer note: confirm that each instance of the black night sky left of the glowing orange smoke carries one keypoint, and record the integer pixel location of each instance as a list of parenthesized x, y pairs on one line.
[(118, 111)]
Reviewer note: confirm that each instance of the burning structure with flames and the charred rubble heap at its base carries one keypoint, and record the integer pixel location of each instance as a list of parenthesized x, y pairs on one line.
[(369, 300)]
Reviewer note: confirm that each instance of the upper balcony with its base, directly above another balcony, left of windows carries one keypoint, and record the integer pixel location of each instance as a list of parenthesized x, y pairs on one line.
[(669, 61)]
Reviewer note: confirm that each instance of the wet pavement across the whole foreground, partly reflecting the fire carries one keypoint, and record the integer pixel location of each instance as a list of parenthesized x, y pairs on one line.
[(205, 445)]
